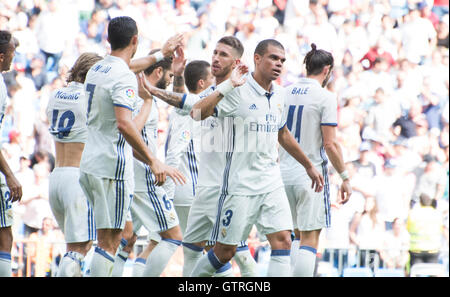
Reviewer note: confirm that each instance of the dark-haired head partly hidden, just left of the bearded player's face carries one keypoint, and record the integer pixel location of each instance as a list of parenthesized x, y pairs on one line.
[(198, 76)]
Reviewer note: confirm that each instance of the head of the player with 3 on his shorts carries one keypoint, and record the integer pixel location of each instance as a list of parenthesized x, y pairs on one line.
[(269, 57)]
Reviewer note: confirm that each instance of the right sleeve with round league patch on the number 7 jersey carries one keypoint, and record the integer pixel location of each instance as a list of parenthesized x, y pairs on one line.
[(124, 92)]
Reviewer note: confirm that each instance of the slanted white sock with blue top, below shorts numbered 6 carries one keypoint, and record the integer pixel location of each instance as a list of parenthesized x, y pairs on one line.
[(160, 256)]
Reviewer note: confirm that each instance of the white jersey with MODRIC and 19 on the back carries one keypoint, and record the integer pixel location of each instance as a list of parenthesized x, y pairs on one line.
[(66, 112)]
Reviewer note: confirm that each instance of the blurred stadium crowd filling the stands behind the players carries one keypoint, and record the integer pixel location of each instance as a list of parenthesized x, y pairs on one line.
[(391, 78)]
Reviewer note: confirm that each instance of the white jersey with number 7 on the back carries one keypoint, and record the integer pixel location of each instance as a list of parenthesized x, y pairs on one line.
[(109, 83)]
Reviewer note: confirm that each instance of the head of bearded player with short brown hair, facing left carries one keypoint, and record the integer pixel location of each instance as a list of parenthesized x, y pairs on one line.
[(226, 56)]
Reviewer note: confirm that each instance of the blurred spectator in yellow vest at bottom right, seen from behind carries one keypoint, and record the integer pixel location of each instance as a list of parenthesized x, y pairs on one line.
[(425, 226)]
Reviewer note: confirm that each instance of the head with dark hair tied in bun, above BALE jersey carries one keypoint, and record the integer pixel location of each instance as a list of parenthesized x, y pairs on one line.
[(319, 63)]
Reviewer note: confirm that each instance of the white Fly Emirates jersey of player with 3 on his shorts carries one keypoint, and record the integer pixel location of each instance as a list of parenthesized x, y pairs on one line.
[(252, 119)]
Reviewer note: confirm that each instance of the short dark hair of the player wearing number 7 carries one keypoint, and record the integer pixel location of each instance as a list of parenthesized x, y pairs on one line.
[(120, 32)]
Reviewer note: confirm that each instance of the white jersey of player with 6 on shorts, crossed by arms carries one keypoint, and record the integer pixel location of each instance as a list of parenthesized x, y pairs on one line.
[(143, 176)]
